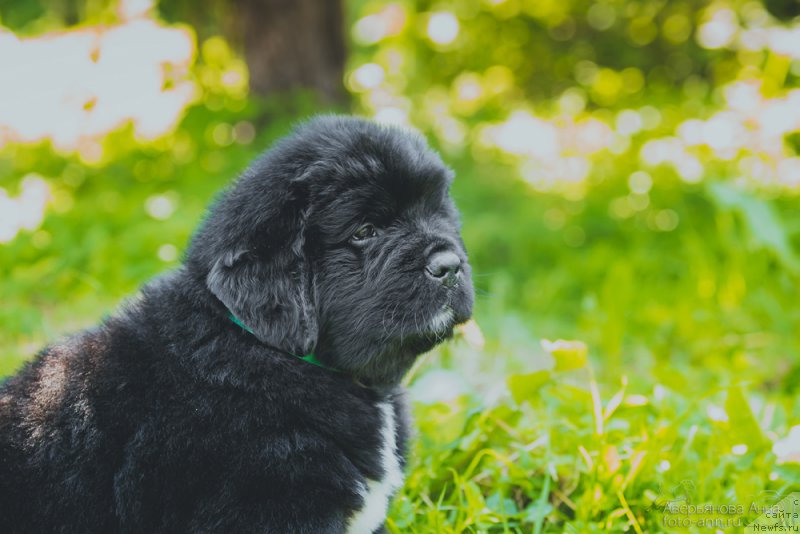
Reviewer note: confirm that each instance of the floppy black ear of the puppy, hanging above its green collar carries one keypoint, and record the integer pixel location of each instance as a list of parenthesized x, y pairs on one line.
[(265, 279)]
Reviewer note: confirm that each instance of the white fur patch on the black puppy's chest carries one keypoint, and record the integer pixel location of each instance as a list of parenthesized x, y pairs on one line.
[(377, 493)]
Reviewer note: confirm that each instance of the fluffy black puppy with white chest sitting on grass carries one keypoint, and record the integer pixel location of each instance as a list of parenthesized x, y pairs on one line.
[(256, 388)]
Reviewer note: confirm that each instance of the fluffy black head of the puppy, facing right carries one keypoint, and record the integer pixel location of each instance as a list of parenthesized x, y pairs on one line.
[(341, 240)]
